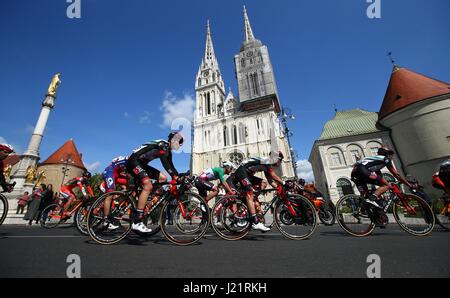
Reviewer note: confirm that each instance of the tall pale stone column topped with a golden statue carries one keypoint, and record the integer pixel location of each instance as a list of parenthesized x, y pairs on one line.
[(26, 173)]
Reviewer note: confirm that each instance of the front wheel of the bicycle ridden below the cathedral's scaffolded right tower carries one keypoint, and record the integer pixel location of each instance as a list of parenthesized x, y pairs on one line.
[(296, 219)]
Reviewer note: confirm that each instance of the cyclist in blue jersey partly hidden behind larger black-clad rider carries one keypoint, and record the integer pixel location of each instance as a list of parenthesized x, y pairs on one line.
[(114, 174)]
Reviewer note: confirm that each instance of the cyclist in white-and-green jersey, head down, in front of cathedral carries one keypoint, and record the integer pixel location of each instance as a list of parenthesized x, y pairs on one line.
[(203, 181)]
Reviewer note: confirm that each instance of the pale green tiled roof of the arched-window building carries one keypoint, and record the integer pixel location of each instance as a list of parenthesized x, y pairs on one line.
[(350, 123)]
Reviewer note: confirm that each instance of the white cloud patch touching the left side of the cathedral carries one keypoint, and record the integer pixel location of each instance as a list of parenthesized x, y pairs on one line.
[(176, 108)]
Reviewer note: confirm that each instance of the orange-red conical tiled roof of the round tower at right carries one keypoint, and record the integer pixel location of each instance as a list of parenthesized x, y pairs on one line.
[(407, 87)]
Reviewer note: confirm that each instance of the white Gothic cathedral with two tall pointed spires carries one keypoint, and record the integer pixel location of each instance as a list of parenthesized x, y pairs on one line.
[(233, 128)]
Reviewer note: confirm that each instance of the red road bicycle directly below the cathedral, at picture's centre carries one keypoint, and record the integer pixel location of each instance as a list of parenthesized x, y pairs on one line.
[(293, 215)]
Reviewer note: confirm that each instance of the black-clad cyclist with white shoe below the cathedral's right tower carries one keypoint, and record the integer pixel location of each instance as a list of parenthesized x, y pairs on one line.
[(245, 175)]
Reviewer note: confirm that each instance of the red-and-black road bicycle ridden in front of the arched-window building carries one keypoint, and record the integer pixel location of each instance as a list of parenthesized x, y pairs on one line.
[(411, 212)]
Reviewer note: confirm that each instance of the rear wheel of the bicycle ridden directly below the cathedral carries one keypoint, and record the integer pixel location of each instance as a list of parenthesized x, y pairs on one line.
[(230, 218)]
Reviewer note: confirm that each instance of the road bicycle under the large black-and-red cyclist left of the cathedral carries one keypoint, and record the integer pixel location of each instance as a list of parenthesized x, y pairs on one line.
[(190, 214)]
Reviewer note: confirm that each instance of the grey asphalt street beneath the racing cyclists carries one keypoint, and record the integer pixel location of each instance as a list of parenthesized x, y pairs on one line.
[(36, 252)]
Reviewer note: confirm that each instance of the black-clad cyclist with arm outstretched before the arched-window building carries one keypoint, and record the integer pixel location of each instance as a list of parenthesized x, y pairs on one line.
[(368, 171)]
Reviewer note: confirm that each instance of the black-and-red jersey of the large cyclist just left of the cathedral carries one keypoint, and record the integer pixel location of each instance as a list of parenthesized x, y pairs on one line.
[(137, 162)]
